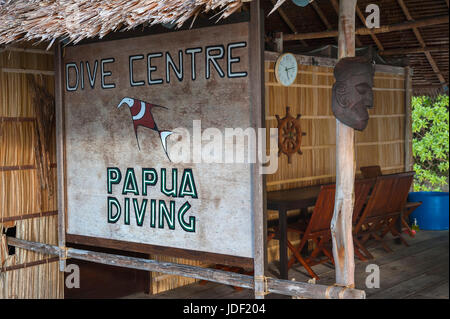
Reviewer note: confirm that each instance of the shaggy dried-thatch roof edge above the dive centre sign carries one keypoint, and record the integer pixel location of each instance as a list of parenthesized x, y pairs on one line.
[(75, 20)]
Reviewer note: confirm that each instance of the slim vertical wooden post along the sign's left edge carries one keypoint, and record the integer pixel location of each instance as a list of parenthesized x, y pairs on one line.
[(59, 114)]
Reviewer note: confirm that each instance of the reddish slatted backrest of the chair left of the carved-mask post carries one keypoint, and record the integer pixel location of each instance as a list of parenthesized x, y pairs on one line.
[(323, 211)]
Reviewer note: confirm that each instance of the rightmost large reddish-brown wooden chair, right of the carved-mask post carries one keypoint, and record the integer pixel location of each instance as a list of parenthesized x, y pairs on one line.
[(383, 209)]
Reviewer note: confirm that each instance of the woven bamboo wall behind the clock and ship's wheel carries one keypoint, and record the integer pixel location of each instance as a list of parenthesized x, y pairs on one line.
[(381, 143)]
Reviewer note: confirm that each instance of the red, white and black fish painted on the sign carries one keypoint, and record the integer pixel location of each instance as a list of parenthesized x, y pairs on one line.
[(141, 113)]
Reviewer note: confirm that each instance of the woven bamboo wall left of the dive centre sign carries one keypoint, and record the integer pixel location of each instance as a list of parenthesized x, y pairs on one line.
[(22, 201)]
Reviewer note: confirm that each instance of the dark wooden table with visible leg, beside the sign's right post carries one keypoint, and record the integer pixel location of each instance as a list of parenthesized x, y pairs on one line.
[(282, 201)]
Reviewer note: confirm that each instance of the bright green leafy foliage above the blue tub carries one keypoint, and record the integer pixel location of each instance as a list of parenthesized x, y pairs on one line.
[(430, 142)]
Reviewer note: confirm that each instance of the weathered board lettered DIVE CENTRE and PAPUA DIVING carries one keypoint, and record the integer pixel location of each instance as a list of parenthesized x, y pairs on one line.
[(122, 99)]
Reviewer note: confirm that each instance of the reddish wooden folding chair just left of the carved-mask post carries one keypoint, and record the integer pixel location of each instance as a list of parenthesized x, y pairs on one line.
[(316, 229)]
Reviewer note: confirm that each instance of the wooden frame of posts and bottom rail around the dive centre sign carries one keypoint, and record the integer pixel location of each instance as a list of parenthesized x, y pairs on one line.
[(256, 85)]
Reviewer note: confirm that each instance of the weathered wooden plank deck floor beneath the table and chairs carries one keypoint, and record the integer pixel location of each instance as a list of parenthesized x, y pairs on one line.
[(419, 271)]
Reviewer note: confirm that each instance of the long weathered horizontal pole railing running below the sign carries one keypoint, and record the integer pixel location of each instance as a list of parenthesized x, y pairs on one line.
[(291, 288)]
